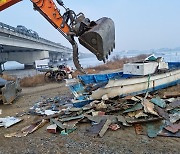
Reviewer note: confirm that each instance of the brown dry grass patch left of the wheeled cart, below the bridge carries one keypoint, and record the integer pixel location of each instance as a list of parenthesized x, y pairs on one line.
[(32, 81)]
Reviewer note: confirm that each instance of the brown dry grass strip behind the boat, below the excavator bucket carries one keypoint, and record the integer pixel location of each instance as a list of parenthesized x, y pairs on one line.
[(115, 63)]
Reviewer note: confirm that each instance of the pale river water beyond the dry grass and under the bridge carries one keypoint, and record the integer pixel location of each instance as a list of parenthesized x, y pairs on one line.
[(17, 69)]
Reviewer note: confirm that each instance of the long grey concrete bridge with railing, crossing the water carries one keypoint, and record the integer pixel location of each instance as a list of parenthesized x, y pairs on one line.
[(23, 47)]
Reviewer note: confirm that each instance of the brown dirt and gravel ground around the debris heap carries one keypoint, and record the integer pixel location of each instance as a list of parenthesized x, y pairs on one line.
[(121, 141)]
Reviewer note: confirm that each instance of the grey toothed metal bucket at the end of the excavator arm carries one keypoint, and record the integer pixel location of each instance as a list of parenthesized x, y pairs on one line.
[(100, 38)]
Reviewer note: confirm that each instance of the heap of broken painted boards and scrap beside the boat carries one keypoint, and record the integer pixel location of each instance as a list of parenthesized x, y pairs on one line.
[(149, 115)]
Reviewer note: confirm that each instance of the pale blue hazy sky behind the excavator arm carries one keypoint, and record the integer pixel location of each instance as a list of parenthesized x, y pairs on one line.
[(140, 24)]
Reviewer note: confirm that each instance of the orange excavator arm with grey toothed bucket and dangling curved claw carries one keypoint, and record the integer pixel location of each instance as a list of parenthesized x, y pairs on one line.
[(97, 36)]
